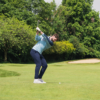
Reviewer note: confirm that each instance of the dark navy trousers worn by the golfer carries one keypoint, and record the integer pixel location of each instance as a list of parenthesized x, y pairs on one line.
[(39, 61)]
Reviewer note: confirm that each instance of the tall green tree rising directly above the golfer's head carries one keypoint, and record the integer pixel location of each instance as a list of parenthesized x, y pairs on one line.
[(46, 17)]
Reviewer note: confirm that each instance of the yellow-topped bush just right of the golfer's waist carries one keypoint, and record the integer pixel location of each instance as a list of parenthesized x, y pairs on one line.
[(60, 51)]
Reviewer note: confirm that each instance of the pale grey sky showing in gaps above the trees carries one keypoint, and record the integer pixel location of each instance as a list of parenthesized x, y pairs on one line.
[(96, 4)]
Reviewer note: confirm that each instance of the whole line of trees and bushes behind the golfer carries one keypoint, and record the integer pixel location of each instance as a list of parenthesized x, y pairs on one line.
[(75, 21)]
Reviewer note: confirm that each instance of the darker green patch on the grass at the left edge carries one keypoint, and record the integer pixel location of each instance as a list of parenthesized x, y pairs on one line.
[(5, 73)]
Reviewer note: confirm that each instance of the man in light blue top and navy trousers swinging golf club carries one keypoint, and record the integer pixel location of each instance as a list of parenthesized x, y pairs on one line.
[(44, 42)]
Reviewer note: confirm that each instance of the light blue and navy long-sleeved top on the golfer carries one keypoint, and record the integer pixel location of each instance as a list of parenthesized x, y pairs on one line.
[(43, 43)]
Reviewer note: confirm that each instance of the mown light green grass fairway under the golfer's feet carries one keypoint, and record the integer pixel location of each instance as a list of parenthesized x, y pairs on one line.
[(77, 82)]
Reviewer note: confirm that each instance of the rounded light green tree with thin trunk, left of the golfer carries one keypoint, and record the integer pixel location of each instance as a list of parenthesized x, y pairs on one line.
[(14, 33)]
